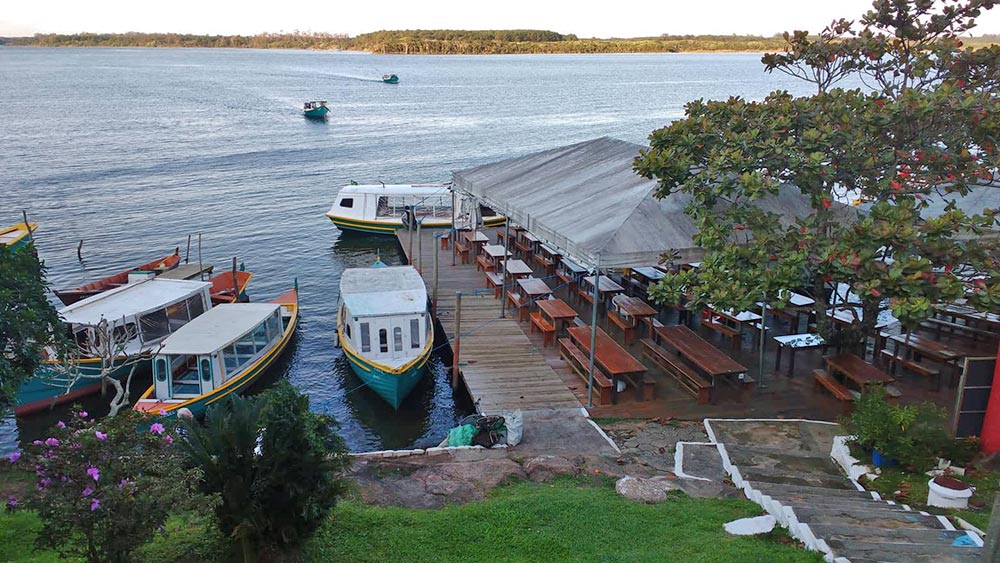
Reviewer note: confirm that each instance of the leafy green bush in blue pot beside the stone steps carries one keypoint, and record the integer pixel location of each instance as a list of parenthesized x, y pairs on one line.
[(915, 435)]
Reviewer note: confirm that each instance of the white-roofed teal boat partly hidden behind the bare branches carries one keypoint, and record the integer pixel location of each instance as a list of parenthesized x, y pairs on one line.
[(144, 312)]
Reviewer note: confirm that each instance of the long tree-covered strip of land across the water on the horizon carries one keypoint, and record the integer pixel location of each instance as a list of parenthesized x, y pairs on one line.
[(417, 42)]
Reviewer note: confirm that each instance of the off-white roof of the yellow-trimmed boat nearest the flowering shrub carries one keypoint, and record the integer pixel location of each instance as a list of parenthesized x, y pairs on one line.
[(217, 328)]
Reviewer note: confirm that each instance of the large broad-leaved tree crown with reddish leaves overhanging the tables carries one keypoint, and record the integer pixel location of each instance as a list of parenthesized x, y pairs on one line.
[(926, 124)]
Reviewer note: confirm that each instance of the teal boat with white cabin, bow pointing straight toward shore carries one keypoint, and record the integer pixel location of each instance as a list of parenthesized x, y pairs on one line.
[(384, 328)]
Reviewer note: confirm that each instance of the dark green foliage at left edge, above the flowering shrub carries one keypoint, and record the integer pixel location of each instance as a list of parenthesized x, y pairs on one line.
[(28, 322)]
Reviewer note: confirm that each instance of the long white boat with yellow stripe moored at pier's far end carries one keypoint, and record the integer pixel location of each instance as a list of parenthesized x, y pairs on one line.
[(382, 209)]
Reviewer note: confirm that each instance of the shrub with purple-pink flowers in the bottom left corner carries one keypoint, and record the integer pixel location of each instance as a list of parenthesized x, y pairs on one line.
[(104, 488)]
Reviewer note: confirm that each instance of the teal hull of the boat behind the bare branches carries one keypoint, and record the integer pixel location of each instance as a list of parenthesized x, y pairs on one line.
[(47, 388)]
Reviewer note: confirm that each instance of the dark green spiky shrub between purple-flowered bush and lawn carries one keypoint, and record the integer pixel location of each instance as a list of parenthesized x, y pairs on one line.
[(274, 464)]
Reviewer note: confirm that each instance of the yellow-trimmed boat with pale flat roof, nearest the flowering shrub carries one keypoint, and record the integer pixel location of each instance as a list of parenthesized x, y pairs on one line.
[(222, 352)]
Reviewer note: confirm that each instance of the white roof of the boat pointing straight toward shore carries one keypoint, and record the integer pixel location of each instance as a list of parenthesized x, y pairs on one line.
[(396, 290)]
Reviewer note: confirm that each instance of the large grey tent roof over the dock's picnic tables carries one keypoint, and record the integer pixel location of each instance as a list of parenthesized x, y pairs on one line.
[(587, 200)]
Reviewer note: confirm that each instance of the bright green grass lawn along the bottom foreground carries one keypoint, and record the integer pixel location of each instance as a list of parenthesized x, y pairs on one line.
[(563, 521)]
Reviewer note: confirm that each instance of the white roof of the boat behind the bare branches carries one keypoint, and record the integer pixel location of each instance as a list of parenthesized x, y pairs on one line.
[(130, 300)]
